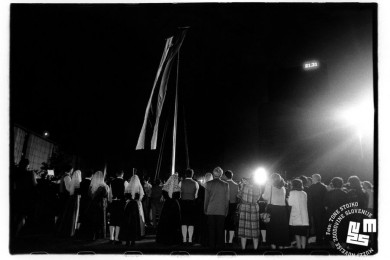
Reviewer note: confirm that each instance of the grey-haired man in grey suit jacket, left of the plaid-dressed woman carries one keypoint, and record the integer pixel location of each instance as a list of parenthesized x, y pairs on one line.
[(216, 207)]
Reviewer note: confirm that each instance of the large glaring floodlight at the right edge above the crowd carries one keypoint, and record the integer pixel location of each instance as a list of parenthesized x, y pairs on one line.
[(361, 118)]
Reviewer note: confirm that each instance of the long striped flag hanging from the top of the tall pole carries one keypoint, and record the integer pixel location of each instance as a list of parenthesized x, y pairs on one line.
[(152, 113)]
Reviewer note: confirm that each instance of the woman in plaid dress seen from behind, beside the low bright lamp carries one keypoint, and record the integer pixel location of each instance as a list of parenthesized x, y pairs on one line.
[(248, 225)]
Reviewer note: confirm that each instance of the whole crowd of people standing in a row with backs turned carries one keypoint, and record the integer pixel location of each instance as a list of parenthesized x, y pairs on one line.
[(213, 212)]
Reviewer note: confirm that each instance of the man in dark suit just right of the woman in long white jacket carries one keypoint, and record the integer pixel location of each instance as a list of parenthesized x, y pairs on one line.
[(316, 202)]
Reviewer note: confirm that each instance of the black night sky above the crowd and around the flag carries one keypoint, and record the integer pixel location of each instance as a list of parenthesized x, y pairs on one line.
[(85, 72)]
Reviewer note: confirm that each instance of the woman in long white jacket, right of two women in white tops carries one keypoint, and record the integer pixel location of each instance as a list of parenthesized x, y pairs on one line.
[(299, 217)]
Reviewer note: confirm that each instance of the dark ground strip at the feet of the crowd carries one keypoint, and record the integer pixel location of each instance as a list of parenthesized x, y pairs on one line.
[(46, 243)]
